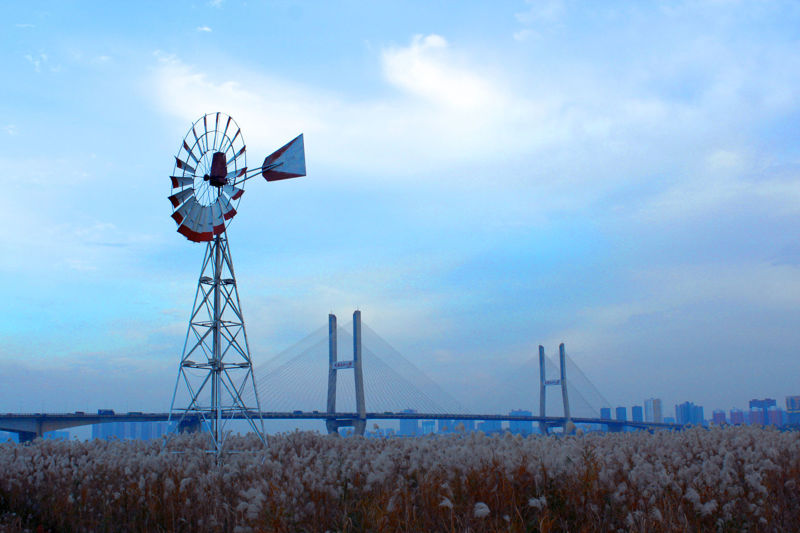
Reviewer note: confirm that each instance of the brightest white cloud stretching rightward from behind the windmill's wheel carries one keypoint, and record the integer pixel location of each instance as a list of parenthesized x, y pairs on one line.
[(444, 110)]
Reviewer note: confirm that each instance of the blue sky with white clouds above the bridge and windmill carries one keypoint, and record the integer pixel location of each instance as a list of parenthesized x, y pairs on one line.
[(482, 178)]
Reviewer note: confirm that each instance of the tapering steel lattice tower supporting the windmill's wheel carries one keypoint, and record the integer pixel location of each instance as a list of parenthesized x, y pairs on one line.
[(216, 367)]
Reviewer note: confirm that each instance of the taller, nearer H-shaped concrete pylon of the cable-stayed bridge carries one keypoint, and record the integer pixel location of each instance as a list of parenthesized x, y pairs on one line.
[(359, 423)]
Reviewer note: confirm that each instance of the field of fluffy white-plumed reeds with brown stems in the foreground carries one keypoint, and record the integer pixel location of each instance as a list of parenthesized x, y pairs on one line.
[(717, 479)]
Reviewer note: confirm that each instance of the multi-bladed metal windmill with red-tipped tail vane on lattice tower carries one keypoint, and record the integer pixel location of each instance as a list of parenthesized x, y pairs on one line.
[(207, 184)]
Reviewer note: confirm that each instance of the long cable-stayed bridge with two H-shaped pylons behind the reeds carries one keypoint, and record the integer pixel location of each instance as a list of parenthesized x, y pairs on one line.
[(310, 381)]
